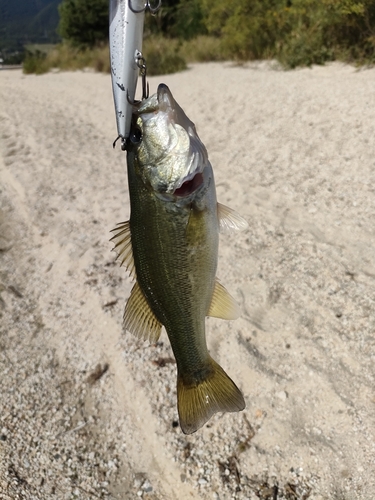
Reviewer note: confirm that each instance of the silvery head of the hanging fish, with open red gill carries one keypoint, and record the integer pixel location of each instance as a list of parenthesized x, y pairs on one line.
[(169, 155)]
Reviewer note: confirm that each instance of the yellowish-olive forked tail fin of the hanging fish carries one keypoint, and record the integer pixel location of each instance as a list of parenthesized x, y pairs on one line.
[(197, 402)]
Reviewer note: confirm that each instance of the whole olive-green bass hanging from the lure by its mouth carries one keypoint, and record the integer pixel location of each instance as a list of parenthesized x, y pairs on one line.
[(170, 247)]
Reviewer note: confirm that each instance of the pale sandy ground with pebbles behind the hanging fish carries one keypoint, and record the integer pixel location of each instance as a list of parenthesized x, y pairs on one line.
[(89, 412)]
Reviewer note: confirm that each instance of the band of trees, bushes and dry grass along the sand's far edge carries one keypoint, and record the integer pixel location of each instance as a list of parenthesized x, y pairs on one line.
[(295, 32)]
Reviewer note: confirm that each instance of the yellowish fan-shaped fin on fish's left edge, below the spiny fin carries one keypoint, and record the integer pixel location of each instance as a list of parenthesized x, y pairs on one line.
[(138, 317)]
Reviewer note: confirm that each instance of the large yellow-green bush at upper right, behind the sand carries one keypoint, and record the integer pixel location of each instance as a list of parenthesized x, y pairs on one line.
[(297, 32)]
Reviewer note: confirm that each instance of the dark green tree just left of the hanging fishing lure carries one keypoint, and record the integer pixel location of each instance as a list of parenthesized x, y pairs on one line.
[(84, 23)]
